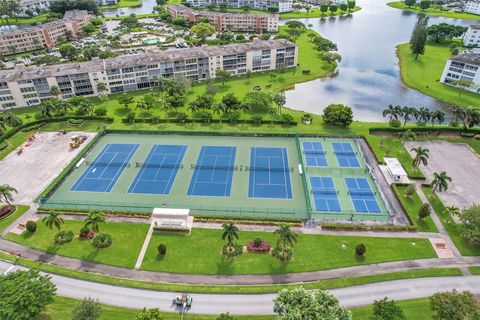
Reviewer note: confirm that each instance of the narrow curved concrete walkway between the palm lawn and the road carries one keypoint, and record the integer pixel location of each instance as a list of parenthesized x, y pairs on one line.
[(380, 268)]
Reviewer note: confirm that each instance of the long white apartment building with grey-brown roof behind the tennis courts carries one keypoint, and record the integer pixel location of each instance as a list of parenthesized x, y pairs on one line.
[(24, 86)]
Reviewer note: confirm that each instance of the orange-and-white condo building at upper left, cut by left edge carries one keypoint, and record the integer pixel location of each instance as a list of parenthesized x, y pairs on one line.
[(45, 35)]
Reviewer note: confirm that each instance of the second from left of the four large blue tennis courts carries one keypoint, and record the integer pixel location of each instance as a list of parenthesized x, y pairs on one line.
[(158, 172)]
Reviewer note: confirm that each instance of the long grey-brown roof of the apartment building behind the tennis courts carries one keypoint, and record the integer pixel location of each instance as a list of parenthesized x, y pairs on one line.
[(98, 65)]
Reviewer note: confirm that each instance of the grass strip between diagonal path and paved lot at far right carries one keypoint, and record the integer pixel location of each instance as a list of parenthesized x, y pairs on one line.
[(450, 226)]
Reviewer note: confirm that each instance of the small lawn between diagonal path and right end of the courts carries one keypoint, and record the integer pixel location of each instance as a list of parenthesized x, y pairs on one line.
[(412, 206)]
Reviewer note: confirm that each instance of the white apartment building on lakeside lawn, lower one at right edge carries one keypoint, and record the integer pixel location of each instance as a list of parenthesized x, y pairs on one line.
[(464, 66)]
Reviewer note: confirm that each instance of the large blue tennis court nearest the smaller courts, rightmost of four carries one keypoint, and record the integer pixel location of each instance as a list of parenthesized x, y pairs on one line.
[(269, 173)]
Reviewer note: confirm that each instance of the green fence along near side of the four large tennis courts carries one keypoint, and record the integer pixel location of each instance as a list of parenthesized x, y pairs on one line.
[(147, 207)]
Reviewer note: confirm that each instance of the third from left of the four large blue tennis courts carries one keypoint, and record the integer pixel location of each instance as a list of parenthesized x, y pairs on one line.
[(213, 172)]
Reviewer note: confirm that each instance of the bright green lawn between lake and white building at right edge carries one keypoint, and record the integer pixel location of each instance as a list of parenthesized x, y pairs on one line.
[(424, 73)]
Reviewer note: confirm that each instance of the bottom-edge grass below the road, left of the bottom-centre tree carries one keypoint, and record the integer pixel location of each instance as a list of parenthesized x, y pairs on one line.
[(61, 309)]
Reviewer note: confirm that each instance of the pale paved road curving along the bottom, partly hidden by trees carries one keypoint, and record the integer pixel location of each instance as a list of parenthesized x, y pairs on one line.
[(254, 304)]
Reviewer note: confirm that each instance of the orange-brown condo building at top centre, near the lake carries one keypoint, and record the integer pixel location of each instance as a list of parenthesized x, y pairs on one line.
[(227, 20)]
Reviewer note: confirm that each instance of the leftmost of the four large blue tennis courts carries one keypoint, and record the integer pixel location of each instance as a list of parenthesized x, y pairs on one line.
[(102, 174)]
